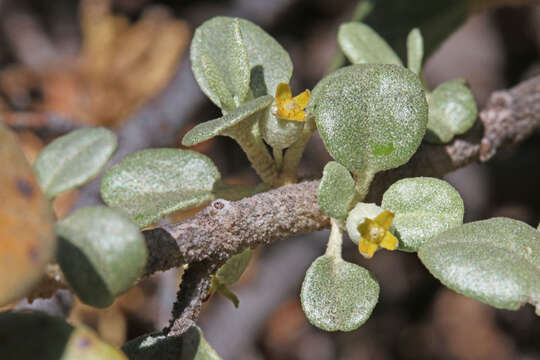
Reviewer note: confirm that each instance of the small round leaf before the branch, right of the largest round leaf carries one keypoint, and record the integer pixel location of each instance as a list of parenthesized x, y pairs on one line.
[(452, 111)]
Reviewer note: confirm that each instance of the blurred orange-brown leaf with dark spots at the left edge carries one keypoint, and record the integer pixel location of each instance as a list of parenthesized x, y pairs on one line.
[(27, 241)]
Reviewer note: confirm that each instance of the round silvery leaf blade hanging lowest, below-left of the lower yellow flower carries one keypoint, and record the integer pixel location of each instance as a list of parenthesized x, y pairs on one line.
[(337, 295)]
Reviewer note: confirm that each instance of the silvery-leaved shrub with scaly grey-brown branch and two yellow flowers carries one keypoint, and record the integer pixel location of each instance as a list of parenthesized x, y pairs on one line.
[(374, 116)]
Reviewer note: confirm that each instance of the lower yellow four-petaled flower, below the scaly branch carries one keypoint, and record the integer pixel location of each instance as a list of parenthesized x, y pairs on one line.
[(375, 233)]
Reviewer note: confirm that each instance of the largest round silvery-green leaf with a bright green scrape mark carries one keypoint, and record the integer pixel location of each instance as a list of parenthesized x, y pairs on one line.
[(370, 117)]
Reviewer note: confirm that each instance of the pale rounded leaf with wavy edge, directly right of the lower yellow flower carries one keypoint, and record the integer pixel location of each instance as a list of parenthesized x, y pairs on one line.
[(424, 208)]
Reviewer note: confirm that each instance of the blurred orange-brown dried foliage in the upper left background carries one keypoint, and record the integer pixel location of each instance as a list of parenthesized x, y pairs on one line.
[(120, 66)]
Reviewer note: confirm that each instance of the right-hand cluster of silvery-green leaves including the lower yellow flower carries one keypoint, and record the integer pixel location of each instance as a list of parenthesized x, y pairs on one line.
[(373, 117)]
